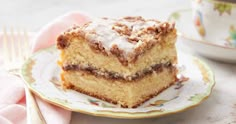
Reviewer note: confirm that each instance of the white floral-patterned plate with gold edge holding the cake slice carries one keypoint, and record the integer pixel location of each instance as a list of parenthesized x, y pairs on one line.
[(42, 76)]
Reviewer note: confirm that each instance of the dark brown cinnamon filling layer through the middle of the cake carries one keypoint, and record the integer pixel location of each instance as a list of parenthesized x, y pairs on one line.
[(117, 76)]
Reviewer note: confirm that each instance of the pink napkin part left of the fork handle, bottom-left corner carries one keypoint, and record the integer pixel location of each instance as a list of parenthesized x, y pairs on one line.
[(12, 100)]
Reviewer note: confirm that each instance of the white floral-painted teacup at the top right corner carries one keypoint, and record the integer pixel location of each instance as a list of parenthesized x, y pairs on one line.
[(215, 20)]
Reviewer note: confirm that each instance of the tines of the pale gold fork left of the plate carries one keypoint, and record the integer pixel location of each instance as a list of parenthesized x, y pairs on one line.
[(15, 47)]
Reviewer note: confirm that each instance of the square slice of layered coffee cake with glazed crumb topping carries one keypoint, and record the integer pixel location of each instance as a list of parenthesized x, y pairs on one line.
[(123, 61)]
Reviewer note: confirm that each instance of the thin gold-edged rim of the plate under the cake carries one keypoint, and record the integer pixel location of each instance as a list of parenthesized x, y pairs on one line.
[(121, 115)]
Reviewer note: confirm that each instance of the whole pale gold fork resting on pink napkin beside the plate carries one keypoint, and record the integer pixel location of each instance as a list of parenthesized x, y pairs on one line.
[(15, 51)]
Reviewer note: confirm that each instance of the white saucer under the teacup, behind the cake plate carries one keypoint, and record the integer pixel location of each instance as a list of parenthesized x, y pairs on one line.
[(189, 36)]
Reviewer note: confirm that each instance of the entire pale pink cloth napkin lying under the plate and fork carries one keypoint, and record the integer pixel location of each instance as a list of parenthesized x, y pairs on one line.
[(12, 94)]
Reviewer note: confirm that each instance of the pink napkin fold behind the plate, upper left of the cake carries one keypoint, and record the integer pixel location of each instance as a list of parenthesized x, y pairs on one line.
[(48, 35)]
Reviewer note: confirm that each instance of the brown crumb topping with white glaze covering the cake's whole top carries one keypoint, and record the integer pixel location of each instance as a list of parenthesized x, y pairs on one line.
[(125, 37)]
